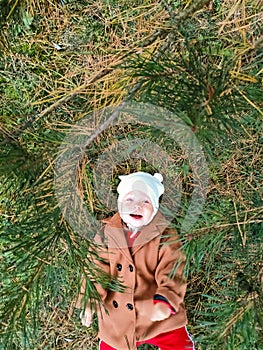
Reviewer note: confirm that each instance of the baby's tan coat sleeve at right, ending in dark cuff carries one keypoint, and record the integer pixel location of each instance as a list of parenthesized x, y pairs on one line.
[(171, 283)]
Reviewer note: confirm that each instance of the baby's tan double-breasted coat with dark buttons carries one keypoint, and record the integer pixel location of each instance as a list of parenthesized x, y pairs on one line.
[(147, 268)]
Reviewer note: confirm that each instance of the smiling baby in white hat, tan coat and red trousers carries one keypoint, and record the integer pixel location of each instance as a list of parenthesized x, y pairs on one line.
[(146, 256)]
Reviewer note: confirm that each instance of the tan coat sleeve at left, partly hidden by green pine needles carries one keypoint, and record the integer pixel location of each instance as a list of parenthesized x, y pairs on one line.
[(102, 264)]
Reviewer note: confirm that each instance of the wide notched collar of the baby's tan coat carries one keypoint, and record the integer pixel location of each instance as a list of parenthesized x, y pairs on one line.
[(115, 236)]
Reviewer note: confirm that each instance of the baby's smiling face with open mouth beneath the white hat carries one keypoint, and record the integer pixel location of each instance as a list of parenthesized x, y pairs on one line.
[(136, 209)]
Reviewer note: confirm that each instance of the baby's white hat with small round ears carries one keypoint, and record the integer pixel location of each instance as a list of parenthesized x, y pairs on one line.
[(144, 182)]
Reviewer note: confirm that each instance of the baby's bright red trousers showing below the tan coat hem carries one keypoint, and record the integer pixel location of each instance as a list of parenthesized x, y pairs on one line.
[(178, 339)]
